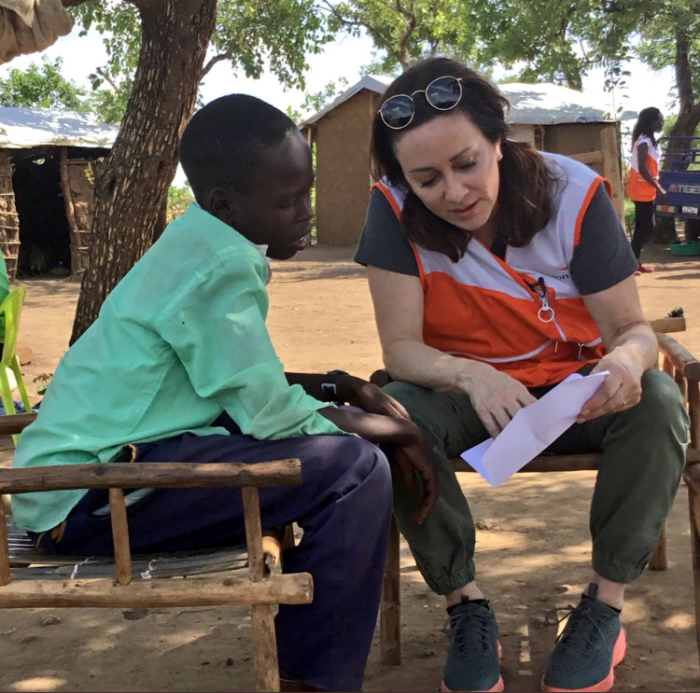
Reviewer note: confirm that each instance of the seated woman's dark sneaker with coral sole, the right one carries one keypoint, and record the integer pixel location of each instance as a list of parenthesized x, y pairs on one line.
[(589, 648)]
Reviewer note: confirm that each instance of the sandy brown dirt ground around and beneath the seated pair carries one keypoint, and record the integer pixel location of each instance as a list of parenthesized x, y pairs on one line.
[(533, 557)]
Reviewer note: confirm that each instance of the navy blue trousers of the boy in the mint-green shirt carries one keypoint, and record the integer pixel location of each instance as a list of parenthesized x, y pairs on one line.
[(343, 505)]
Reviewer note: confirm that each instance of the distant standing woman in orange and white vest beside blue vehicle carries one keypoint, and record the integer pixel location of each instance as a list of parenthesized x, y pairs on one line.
[(643, 182)]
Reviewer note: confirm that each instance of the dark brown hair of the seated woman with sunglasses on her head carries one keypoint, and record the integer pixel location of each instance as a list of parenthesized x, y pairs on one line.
[(525, 178)]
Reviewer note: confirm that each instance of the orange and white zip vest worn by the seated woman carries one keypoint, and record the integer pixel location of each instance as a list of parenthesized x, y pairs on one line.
[(524, 316)]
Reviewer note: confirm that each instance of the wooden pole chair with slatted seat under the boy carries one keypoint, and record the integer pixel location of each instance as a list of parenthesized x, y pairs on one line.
[(31, 578)]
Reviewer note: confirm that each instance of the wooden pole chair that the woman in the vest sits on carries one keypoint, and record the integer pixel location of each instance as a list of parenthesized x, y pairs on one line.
[(685, 370)]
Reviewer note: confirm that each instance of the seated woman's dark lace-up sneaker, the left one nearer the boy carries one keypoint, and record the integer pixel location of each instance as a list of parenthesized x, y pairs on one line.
[(473, 658)]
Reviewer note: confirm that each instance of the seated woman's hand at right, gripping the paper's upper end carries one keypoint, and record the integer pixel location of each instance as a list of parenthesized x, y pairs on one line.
[(621, 389)]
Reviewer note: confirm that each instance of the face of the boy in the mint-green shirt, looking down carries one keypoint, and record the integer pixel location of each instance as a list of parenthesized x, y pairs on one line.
[(277, 211)]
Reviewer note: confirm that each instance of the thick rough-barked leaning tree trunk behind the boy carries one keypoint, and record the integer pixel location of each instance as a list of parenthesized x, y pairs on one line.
[(132, 185)]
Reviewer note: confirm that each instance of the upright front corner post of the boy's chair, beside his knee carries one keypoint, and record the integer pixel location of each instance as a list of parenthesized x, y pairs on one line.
[(262, 622)]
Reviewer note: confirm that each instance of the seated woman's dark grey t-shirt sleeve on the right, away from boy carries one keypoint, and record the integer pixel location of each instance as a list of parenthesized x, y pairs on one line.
[(603, 256)]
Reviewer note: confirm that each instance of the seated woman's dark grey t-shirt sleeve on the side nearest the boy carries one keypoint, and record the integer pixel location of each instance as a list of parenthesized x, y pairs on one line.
[(383, 243)]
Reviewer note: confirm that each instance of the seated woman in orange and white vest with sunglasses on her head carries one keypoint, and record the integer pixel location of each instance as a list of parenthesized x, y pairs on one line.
[(496, 272)]
